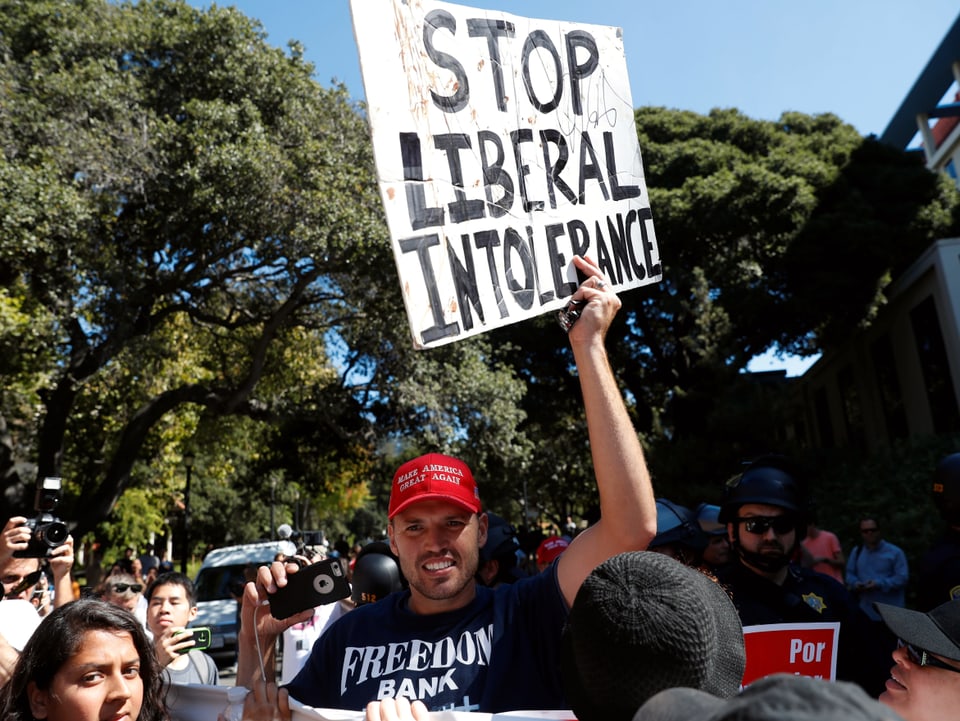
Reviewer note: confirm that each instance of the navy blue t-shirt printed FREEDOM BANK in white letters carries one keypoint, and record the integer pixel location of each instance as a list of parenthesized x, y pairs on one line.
[(499, 653)]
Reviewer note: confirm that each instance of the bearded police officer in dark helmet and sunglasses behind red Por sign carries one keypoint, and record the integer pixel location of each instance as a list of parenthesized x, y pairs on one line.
[(764, 509)]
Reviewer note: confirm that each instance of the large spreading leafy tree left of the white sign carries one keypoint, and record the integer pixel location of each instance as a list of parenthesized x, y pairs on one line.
[(183, 211)]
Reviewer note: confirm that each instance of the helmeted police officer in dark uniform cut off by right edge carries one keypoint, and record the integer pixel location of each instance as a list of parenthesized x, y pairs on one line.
[(938, 578)]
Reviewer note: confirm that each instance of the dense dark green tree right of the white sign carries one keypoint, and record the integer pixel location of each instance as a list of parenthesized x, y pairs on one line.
[(773, 234)]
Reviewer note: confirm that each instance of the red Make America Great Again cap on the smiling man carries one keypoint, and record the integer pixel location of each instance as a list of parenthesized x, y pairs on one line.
[(434, 477)]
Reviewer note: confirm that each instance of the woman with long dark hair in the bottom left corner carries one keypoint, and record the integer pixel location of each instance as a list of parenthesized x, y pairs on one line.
[(88, 660)]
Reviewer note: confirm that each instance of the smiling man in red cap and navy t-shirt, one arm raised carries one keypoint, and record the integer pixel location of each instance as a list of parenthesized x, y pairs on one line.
[(447, 641)]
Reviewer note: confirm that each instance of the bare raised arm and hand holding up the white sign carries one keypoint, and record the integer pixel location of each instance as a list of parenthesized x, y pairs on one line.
[(628, 511)]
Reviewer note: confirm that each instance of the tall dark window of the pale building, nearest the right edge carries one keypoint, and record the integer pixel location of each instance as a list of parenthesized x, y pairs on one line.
[(935, 366)]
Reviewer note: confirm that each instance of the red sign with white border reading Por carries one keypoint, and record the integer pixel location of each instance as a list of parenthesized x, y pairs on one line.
[(804, 649)]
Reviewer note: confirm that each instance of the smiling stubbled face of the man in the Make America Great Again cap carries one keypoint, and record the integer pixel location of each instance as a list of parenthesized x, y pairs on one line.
[(438, 544)]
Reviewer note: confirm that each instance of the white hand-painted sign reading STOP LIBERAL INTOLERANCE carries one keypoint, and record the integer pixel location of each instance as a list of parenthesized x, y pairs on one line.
[(504, 146)]
